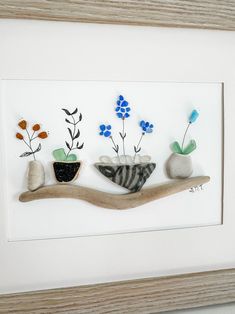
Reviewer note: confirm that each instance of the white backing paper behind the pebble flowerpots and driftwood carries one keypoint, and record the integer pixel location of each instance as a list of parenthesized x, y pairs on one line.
[(166, 105)]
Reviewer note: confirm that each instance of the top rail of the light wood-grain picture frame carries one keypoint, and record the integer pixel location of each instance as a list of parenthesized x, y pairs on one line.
[(212, 14)]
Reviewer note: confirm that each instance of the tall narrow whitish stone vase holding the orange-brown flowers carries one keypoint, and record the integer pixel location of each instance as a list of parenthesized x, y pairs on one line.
[(36, 175)]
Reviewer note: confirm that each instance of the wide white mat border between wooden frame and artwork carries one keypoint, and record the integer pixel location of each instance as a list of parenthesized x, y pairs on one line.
[(33, 50)]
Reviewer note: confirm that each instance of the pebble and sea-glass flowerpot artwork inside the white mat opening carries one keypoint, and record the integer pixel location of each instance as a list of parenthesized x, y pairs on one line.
[(131, 154)]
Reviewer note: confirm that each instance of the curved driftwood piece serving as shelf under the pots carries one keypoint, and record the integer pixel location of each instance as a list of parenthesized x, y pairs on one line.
[(113, 201)]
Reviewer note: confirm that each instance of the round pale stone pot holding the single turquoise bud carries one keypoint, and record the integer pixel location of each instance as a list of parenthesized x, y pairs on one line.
[(179, 166)]
